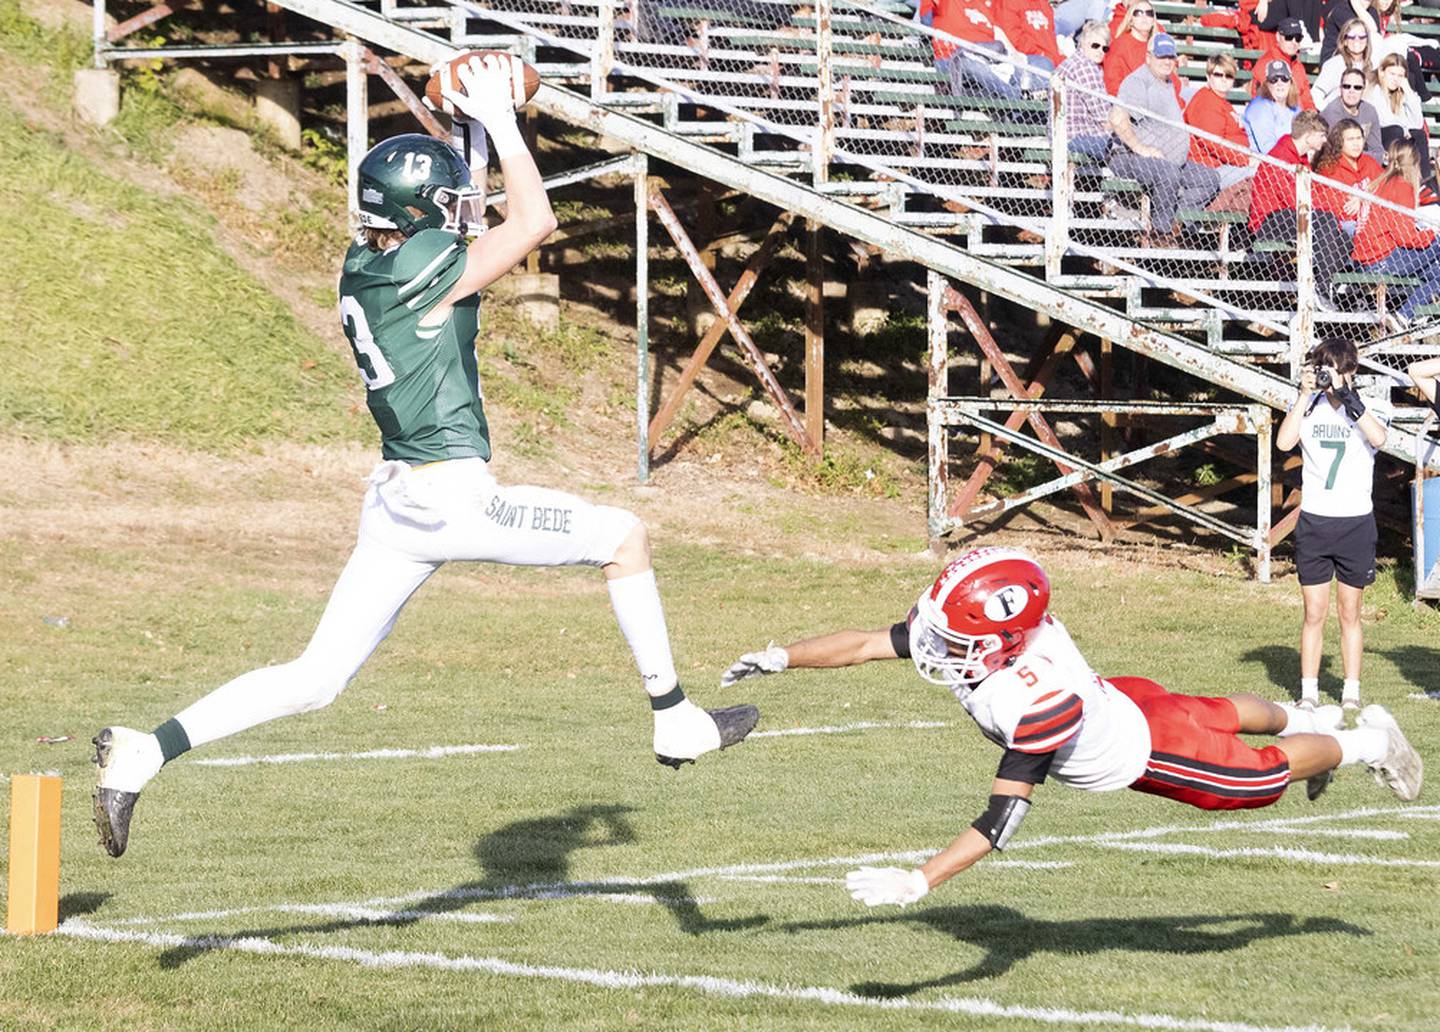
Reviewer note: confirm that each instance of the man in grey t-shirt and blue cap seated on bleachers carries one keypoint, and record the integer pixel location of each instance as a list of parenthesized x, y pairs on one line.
[(1154, 146)]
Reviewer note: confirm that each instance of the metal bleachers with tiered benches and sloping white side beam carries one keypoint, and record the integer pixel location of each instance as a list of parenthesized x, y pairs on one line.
[(834, 110)]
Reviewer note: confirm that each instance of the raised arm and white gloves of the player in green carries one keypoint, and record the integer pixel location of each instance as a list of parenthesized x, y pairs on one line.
[(487, 99)]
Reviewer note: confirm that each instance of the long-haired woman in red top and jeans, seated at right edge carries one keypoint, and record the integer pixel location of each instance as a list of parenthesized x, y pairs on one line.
[(1390, 241)]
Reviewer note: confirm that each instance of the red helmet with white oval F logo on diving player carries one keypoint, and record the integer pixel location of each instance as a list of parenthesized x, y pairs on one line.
[(978, 615)]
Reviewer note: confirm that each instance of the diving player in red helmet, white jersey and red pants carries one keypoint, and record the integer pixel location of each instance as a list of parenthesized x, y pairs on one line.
[(983, 630)]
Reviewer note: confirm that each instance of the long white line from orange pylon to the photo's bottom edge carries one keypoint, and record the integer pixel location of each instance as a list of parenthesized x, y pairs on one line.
[(705, 984)]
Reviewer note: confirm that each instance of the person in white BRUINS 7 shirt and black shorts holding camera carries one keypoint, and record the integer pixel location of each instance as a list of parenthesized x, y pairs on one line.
[(1336, 539)]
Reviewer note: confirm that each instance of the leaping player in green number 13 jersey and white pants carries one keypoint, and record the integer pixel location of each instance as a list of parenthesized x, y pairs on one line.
[(410, 307)]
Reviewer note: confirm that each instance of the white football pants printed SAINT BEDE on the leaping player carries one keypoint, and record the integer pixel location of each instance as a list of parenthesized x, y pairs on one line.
[(413, 522)]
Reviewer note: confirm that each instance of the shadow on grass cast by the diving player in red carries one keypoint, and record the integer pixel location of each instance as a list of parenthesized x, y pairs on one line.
[(1009, 938)]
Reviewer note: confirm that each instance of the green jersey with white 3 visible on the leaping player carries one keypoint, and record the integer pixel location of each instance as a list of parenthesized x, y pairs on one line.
[(421, 382)]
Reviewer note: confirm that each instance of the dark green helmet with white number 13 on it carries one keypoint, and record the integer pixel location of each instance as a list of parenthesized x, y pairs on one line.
[(417, 182)]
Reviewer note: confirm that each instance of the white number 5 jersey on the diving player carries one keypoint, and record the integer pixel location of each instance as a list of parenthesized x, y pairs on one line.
[(1050, 702)]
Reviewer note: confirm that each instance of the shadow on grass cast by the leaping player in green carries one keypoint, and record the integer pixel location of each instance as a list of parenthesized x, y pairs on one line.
[(526, 860)]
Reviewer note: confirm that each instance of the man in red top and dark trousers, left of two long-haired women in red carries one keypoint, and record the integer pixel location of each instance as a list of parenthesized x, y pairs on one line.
[(1272, 202)]
